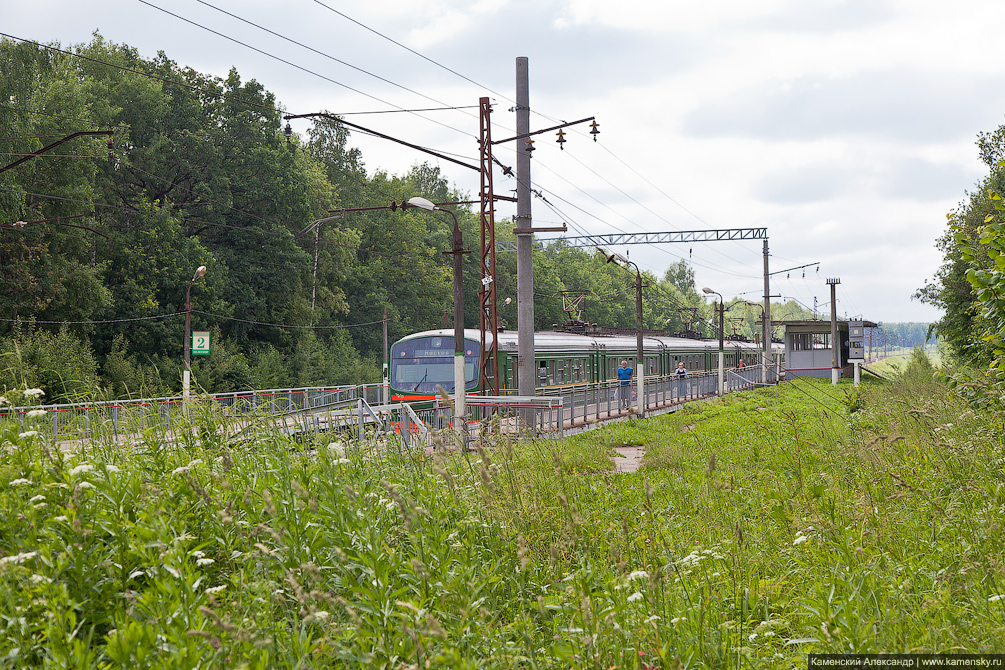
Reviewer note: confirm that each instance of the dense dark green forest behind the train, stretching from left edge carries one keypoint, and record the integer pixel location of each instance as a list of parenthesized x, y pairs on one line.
[(101, 237)]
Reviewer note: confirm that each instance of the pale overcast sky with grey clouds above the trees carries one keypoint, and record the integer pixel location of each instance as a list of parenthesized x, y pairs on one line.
[(847, 128)]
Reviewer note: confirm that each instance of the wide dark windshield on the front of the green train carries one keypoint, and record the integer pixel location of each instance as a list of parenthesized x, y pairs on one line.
[(423, 365)]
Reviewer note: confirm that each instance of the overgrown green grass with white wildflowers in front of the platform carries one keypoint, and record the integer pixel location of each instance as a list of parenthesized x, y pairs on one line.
[(761, 528)]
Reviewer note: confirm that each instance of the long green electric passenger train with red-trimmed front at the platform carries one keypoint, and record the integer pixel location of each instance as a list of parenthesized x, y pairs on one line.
[(423, 363)]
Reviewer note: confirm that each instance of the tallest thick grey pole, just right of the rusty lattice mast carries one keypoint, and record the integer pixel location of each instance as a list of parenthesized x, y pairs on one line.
[(525, 242)]
